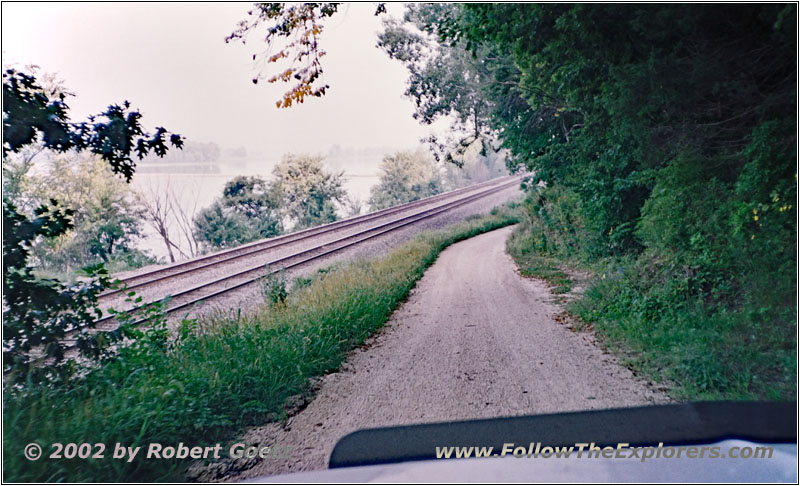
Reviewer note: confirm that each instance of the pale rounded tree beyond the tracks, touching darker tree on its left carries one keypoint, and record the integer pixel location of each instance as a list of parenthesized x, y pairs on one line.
[(309, 192)]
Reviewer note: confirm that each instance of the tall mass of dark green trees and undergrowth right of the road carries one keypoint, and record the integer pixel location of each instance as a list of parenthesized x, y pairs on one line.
[(663, 139)]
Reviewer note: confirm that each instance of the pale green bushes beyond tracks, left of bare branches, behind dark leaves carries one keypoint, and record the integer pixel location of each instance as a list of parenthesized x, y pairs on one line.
[(105, 221)]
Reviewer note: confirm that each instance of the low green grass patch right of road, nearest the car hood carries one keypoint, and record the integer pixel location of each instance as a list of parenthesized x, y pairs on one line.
[(702, 352)]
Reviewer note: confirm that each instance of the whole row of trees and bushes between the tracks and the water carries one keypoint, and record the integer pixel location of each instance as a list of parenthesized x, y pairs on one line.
[(108, 217)]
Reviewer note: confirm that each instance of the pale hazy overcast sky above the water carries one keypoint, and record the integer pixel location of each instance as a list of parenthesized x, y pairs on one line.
[(170, 60)]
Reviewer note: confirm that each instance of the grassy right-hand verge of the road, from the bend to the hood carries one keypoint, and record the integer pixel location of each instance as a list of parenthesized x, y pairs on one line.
[(645, 314)]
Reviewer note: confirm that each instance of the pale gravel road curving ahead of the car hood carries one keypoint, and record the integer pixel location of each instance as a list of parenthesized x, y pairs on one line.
[(474, 340)]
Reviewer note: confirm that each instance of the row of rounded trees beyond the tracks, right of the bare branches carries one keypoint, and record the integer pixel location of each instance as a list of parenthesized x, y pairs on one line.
[(303, 194)]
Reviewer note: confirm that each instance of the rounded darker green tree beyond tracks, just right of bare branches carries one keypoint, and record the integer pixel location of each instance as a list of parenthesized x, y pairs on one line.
[(248, 210)]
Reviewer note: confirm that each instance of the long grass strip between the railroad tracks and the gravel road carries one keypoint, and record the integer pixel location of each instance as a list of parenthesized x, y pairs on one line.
[(216, 375)]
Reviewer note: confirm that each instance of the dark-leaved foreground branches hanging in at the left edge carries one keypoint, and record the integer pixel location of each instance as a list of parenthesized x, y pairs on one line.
[(37, 313)]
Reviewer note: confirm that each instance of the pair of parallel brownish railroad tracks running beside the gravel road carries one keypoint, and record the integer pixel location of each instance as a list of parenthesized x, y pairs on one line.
[(250, 274)]
